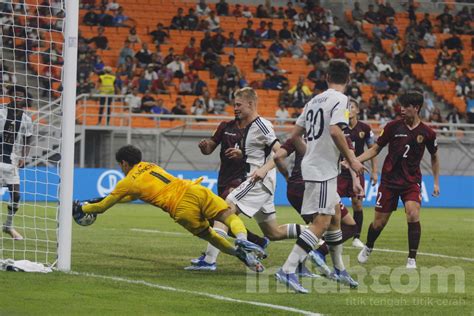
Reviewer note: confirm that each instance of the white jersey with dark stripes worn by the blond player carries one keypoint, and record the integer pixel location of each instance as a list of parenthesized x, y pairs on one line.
[(259, 138)]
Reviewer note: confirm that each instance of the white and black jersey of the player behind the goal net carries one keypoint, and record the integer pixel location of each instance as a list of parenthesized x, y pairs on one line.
[(23, 129)]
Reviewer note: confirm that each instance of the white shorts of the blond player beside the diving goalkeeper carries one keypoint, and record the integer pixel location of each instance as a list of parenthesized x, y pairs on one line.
[(253, 200)]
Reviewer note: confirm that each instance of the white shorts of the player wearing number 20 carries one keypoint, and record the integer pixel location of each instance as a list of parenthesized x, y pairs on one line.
[(320, 197)]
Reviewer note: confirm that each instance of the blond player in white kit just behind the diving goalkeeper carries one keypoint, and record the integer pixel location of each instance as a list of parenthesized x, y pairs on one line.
[(254, 197)]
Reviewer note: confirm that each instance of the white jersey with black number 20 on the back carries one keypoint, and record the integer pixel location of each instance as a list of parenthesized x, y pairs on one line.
[(321, 161)]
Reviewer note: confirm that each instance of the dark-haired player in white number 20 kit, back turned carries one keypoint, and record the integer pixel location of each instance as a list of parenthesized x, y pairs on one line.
[(322, 120)]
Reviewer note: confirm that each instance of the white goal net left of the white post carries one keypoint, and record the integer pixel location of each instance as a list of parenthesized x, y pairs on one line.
[(31, 120)]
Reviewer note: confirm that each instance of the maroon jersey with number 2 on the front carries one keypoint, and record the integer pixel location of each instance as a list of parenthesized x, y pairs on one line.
[(401, 167)]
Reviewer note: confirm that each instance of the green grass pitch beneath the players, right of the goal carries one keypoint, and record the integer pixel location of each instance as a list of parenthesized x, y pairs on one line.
[(131, 262)]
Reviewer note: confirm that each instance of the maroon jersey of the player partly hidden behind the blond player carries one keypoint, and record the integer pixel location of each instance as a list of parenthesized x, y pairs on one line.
[(228, 135)]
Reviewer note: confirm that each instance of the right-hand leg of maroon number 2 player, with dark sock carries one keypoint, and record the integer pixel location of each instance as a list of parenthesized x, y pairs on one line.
[(412, 210)]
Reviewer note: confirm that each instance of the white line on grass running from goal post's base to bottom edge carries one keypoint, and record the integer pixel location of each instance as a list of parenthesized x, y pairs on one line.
[(197, 293)]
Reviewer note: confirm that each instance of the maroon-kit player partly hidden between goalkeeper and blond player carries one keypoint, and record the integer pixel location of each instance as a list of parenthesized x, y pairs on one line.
[(232, 172)]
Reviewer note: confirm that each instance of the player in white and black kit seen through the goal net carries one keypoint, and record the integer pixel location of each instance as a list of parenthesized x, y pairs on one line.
[(16, 131)]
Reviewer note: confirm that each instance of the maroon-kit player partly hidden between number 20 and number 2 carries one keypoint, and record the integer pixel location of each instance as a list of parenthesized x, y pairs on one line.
[(360, 135)]
